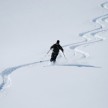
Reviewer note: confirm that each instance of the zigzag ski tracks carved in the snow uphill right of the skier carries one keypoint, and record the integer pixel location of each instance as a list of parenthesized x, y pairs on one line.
[(91, 36)]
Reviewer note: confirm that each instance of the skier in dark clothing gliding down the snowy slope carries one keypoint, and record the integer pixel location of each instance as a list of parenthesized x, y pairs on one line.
[(56, 47)]
